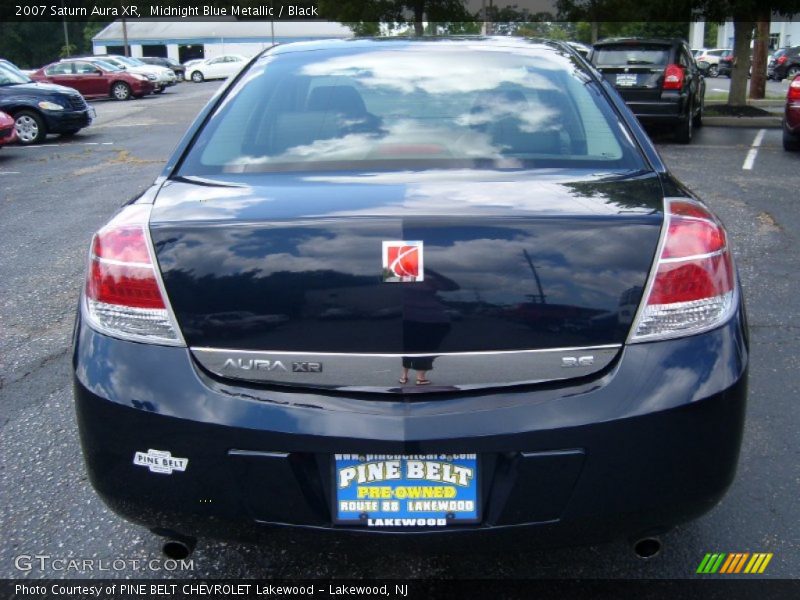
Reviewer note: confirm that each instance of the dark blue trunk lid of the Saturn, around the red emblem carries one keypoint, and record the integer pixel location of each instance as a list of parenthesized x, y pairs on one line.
[(280, 280)]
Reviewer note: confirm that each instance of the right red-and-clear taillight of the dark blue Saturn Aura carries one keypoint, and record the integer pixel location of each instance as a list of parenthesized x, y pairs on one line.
[(693, 284)]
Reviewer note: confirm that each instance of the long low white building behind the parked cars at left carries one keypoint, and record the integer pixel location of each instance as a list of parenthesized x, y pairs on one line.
[(199, 38)]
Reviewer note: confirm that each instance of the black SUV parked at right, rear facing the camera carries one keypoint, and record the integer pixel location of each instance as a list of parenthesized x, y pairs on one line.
[(658, 79)]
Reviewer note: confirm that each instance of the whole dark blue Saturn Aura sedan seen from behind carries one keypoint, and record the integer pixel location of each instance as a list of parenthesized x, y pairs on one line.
[(415, 287)]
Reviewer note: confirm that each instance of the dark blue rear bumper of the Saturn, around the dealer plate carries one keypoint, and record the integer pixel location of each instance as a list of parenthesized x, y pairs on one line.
[(651, 443)]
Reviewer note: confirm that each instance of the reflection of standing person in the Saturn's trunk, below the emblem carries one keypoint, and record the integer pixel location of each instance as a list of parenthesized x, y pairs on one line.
[(425, 323)]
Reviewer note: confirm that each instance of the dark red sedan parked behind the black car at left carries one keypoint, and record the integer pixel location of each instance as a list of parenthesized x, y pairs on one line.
[(95, 79)]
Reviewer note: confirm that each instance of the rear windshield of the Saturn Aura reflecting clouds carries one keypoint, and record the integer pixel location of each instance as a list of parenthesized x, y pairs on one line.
[(412, 108)]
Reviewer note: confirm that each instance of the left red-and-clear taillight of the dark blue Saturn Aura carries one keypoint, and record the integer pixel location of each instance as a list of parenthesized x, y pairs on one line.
[(124, 294)]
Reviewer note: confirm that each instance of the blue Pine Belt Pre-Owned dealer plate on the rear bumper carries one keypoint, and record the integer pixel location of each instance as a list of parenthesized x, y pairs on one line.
[(432, 490)]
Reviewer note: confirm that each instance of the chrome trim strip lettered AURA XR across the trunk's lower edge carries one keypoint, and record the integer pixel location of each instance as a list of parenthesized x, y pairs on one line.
[(380, 373)]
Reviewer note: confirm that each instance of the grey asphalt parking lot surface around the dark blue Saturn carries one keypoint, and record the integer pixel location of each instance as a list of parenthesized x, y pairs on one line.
[(54, 196)]
